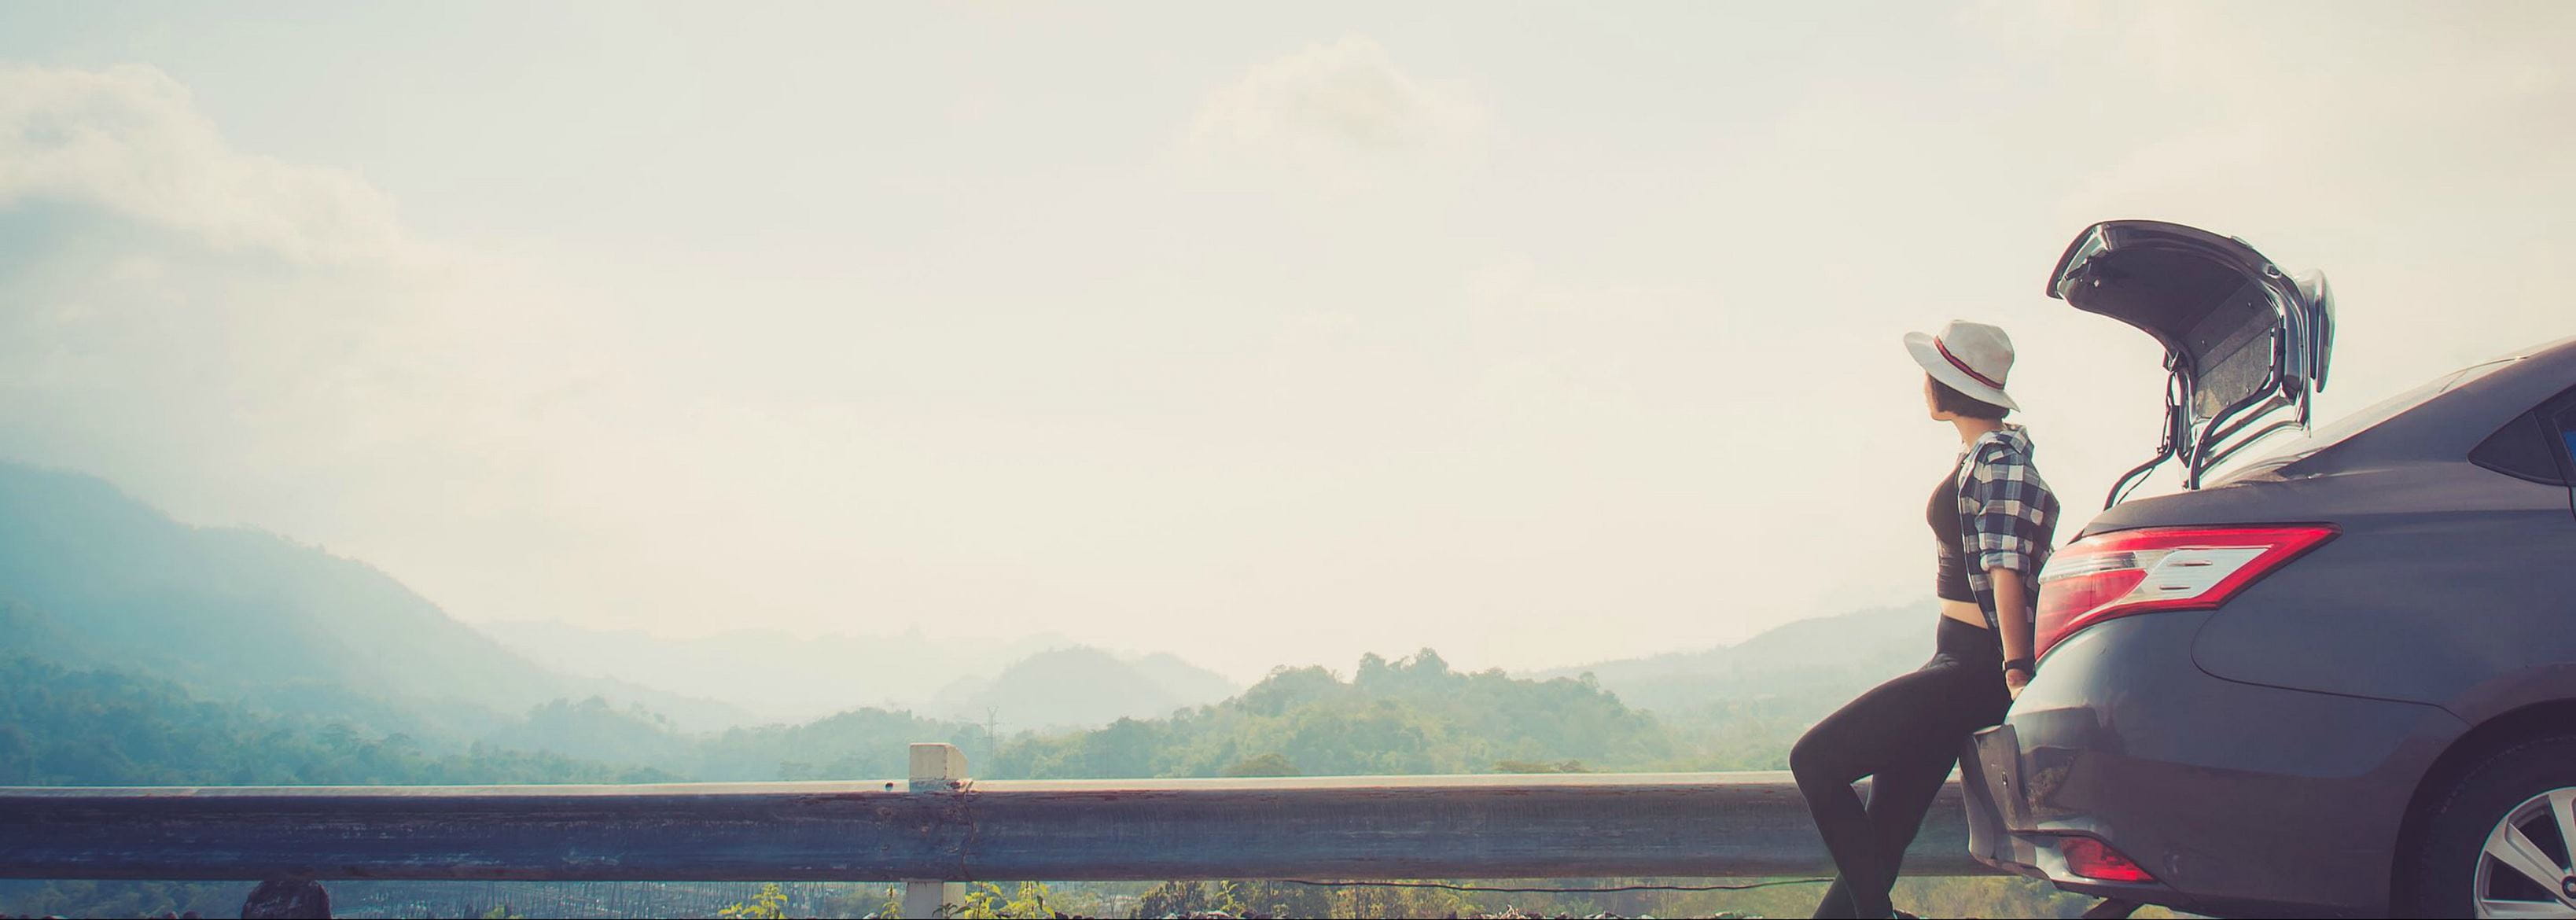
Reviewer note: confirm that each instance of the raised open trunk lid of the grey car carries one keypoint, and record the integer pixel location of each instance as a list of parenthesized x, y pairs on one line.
[(2248, 347)]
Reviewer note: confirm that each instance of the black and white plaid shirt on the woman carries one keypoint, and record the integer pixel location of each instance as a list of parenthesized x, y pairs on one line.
[(2008, 517)]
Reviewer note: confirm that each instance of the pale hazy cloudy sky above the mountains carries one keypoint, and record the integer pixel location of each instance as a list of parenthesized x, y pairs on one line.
[(1264, 336)]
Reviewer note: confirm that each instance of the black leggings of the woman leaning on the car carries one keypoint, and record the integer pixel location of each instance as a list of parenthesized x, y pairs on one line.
[(1908, 736)]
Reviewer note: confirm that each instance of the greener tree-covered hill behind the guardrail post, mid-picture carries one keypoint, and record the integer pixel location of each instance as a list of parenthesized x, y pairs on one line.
[(1410, 715)]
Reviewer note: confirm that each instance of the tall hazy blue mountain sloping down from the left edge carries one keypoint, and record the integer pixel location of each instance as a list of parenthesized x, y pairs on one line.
[(97, 579)]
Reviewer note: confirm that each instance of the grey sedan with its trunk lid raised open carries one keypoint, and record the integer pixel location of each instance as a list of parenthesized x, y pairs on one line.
[(2253, 695)]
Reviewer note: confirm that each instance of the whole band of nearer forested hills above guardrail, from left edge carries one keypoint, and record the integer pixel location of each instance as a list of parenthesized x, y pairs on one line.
[(1413, 715)]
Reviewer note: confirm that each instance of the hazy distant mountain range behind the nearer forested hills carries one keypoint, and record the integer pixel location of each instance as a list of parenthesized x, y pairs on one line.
[(97, 579)]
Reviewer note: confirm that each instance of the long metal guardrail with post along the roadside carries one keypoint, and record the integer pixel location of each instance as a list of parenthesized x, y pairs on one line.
[(947, 829)]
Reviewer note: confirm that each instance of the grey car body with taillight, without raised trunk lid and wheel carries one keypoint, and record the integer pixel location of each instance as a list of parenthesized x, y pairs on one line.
[(2245, 692)]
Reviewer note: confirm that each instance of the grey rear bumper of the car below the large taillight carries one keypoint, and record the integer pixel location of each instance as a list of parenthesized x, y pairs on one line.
[(2235, 798)]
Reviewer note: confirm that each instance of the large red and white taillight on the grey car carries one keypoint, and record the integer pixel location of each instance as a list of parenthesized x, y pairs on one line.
[(2147, 571)]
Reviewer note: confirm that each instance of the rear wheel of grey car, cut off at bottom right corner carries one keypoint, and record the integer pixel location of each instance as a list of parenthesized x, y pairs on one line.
[(2451, 870)]
